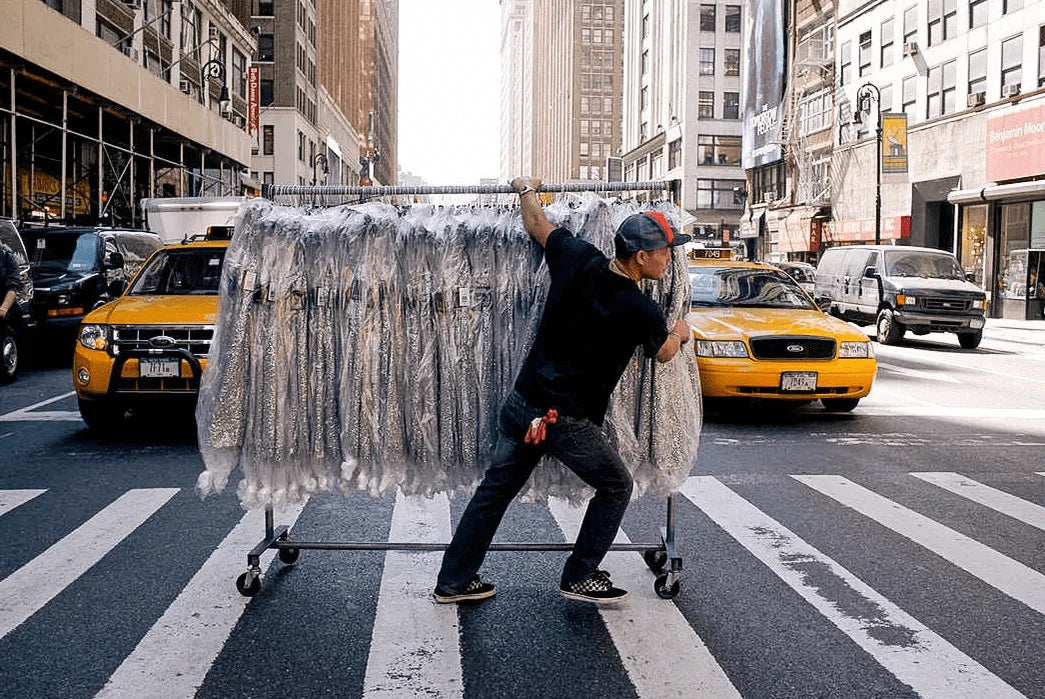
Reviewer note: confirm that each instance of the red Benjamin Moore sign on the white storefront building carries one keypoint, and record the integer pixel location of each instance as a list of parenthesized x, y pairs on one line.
[(1016, 146)]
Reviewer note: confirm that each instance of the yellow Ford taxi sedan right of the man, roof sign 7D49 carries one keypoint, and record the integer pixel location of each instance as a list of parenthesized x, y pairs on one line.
[(758, 335)]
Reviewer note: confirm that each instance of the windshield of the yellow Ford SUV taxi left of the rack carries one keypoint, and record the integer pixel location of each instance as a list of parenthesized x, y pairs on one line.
[(181, 273)]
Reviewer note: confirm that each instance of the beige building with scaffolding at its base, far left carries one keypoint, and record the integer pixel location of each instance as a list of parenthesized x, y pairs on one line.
[(104, 103)]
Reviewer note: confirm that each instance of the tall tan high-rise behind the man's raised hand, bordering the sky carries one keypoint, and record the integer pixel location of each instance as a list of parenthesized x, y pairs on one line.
[(562, 78)]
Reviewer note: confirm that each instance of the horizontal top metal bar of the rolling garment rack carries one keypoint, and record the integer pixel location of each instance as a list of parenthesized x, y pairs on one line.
[(269, 192)]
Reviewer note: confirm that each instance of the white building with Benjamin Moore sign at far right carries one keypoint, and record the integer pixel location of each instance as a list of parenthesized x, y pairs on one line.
[(969, 77)]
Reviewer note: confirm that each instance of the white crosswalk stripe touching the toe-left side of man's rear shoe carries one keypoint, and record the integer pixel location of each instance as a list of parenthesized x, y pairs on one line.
[(415, 647)]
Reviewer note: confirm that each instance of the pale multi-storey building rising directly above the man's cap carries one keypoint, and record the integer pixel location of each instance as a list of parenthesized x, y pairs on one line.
[(683, 109)]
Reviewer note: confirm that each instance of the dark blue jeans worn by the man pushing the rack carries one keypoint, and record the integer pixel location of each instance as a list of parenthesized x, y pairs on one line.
[(583, 448)]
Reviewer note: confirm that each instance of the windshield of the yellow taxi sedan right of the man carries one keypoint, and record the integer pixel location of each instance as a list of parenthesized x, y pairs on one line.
[(749, 288)]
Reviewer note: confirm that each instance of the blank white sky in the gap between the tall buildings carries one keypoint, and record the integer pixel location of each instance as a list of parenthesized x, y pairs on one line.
[(450, 90)]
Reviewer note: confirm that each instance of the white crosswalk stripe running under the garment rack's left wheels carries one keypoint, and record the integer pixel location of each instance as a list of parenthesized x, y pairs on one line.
[(173, 659)]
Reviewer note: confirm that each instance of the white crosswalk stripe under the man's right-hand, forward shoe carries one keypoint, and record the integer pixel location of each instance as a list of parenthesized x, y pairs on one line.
[(684, 669)]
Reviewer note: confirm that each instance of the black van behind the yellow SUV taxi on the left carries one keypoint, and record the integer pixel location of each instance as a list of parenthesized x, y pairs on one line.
[(77, 270)]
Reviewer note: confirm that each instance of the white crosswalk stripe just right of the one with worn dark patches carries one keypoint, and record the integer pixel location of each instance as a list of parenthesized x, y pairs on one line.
[(1011, 577)]
